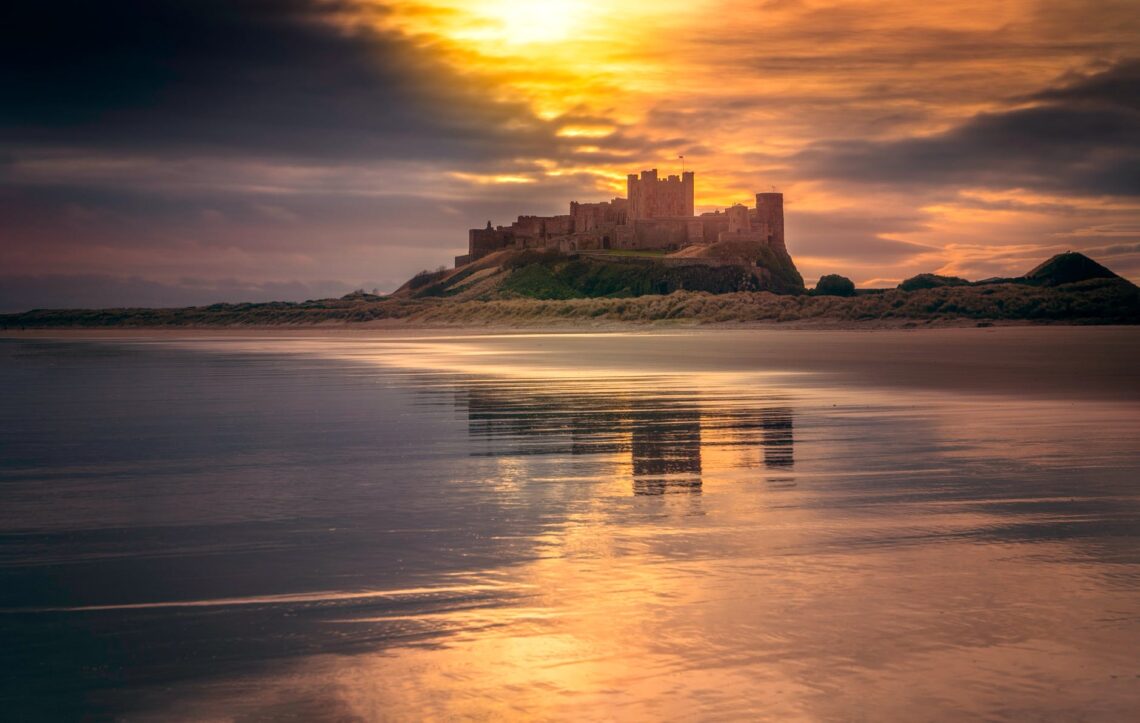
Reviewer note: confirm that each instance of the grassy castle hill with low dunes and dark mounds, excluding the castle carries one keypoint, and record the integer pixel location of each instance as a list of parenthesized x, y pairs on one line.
[(530, 290)]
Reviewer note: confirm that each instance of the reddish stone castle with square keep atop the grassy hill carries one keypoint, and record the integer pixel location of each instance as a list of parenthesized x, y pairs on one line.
[(656, 215)]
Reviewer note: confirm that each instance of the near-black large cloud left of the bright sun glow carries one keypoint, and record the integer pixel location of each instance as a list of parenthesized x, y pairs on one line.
[(249, 77)]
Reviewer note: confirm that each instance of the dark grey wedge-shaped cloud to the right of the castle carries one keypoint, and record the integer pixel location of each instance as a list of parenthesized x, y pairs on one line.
[(1082, 139)]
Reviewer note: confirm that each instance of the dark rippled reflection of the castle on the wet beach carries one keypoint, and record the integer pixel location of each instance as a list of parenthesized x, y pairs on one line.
[(665, 433)]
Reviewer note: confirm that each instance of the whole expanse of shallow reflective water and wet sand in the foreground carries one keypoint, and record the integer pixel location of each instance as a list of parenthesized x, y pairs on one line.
[(698, 525)]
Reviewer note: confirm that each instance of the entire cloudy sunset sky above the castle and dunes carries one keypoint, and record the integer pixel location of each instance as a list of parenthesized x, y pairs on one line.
[(183, 152)]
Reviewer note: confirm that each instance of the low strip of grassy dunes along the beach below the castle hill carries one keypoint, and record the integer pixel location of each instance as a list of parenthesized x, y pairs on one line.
[(1112, 302)]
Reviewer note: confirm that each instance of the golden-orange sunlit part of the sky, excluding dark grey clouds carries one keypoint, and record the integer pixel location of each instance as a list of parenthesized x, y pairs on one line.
[(743, 88)]
